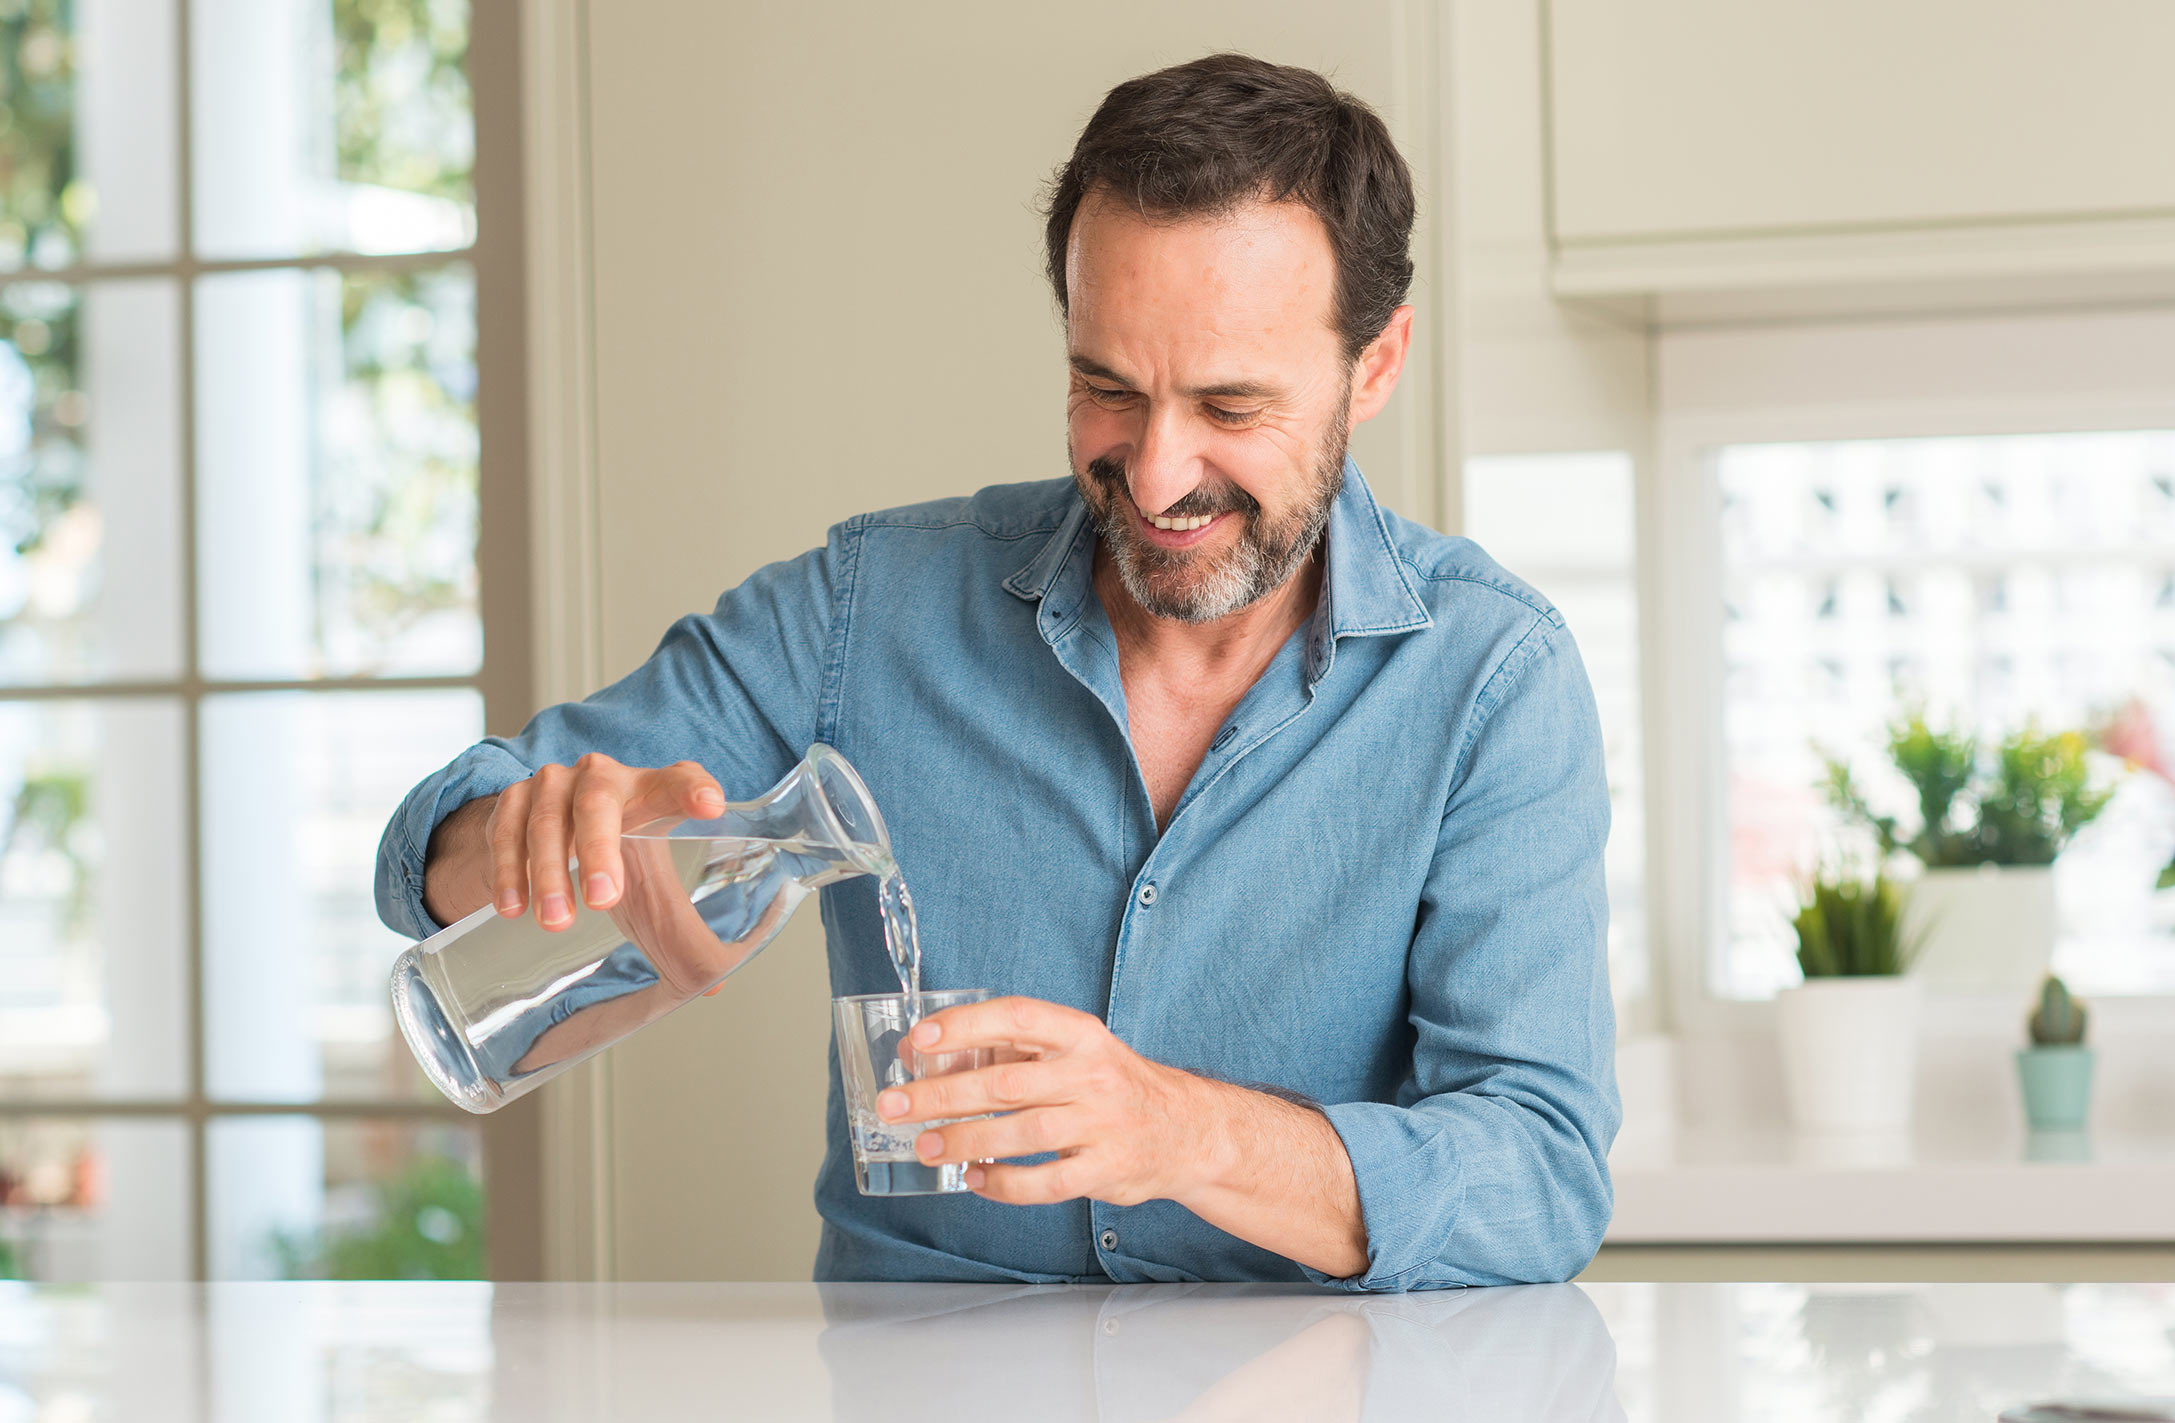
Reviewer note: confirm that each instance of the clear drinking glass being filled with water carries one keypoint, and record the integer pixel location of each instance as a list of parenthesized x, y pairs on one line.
[(873, 1054)]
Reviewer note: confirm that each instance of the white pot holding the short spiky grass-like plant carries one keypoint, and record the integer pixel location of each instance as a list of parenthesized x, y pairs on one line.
[(1850, 1052)]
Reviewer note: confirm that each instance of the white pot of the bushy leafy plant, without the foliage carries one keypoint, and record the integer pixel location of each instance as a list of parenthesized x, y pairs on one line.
[(1989, 928)]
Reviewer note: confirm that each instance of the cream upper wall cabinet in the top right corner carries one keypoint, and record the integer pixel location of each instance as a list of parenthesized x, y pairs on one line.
[(1832, 138)]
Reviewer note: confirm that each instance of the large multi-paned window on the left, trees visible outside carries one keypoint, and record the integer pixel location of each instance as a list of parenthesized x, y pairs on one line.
[(240, 615)]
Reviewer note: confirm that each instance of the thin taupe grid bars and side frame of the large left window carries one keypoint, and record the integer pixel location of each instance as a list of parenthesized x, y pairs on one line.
[(512, 1141)]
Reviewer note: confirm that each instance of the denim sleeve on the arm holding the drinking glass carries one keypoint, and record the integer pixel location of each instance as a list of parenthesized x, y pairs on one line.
[(1491, 1167)]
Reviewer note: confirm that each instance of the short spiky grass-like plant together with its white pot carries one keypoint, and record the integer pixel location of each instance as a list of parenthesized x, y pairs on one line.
[(1850, 1032)]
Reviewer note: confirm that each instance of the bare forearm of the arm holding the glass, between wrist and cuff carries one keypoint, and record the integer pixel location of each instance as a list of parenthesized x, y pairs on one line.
[(1276, 1174)]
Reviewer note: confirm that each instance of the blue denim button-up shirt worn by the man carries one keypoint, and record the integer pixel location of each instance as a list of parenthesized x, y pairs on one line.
[(1382, 887)]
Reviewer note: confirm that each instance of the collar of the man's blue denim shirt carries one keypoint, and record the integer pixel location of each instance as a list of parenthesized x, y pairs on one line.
[(1365, 586)]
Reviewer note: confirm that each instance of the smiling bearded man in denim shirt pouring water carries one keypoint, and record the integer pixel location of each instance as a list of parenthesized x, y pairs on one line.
[(1276, 819)]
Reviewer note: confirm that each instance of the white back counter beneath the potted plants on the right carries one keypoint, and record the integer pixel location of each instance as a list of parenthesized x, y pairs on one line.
[(1769, 1187)]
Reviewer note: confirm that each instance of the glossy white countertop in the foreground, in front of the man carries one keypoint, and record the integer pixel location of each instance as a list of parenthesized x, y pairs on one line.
[(897, 1354)]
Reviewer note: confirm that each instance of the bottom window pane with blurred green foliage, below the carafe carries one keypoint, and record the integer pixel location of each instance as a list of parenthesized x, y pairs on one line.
[(301, 1198)]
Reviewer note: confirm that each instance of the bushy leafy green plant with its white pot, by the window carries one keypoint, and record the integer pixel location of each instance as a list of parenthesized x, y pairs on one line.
[(1989, 832)]
